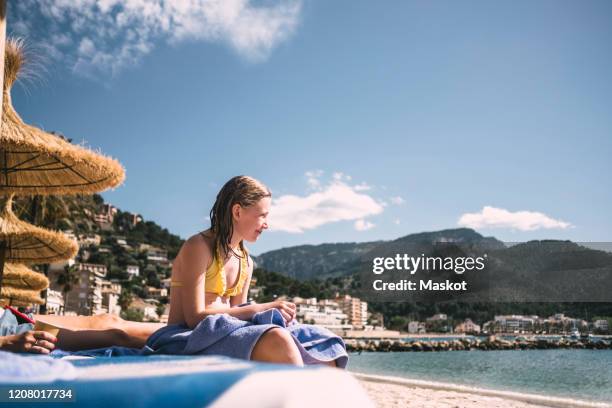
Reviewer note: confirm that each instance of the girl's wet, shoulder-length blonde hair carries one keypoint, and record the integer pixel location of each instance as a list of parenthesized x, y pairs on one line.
[(243, 190)]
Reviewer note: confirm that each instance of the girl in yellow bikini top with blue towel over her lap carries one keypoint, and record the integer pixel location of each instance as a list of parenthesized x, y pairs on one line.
[(210, 284)]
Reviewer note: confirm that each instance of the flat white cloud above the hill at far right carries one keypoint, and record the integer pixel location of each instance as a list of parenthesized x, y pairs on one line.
[(492, 217)]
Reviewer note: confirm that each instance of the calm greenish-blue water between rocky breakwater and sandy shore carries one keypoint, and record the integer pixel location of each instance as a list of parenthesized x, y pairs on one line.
[(580, 374)]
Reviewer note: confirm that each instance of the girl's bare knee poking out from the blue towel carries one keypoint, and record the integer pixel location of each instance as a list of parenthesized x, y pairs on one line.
[(277, 346)]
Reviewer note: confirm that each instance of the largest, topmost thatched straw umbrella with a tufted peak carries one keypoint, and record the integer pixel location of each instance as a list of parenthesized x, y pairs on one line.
[(34, 162)]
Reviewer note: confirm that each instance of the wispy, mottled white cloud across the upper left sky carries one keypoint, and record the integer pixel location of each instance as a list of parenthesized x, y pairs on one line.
[(113, 34)]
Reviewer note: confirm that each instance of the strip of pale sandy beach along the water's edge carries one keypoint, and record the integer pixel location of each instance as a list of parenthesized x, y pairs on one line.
[(393, 392)]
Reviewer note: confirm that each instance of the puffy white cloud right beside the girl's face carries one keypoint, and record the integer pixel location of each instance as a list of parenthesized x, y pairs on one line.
[(335, 202)]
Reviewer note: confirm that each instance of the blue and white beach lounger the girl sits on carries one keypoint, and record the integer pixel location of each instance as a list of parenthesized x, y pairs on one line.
[(181, 381)]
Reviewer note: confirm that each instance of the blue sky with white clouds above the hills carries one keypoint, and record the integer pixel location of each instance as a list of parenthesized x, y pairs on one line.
[(367, 120)]
